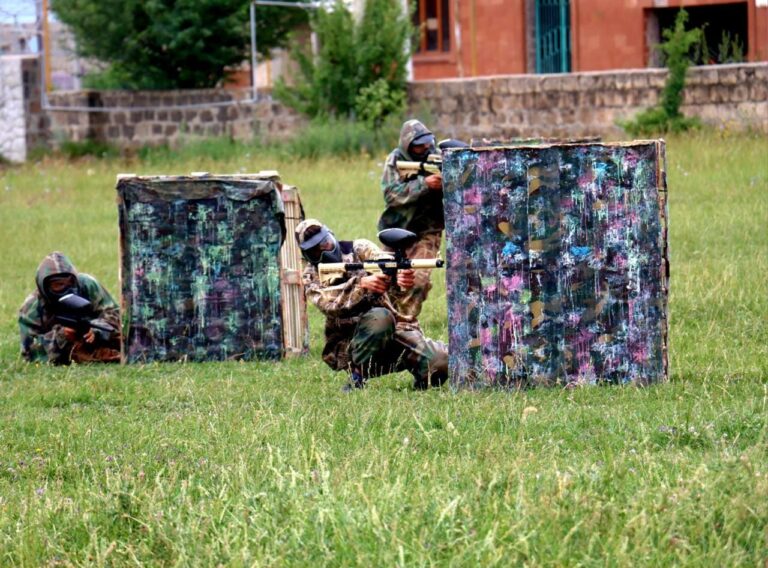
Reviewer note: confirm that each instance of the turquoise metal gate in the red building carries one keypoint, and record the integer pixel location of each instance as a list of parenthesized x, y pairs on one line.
[(553, 36)]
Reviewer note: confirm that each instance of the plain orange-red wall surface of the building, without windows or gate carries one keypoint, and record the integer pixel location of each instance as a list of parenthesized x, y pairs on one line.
[(606, 35)]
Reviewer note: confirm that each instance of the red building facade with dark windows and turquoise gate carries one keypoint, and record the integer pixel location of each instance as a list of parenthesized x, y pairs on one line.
[(470, 38)]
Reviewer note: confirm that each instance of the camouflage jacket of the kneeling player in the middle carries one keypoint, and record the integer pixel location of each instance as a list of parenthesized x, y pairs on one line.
[(343, 301)]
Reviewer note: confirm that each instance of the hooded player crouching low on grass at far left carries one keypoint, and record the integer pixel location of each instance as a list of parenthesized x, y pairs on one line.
[(53, 331)]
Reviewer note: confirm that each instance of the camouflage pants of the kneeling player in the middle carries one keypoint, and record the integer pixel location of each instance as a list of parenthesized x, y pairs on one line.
[(379, 347)]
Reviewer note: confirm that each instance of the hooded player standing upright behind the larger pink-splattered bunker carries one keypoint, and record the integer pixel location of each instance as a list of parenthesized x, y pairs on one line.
[(415, 203)]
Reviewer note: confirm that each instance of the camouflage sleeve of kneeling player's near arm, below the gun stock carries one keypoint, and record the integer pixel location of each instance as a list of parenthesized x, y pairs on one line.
[(342, 298)]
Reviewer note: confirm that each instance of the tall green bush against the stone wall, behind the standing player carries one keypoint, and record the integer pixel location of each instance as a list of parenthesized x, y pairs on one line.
[(359, 69)]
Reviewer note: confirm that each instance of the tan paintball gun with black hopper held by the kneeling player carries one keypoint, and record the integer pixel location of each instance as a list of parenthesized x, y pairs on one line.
[(396, 239)]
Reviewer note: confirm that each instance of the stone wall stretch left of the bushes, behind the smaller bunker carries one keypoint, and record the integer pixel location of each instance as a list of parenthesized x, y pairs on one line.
[(134, 119)]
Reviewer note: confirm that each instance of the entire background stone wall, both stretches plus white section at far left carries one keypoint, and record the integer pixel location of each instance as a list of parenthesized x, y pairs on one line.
[(513, 106)]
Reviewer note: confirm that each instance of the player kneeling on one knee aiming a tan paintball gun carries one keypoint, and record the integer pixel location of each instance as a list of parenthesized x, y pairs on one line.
[(365, 335)]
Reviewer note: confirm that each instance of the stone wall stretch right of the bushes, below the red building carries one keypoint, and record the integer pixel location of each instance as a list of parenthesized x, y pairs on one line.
[(588, 104)]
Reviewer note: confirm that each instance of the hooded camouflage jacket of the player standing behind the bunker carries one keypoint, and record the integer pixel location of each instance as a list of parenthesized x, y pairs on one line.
[(409, 203)]
